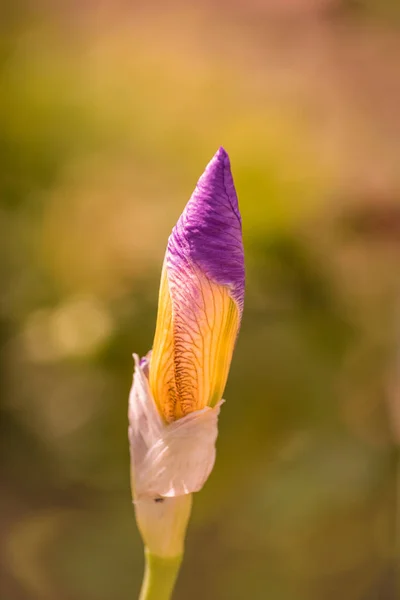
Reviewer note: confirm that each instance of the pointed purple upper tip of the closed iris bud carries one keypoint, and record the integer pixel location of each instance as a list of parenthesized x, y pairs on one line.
[(209, 232)]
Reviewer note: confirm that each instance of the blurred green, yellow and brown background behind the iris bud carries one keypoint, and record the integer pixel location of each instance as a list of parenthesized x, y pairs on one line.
[(109, 112)]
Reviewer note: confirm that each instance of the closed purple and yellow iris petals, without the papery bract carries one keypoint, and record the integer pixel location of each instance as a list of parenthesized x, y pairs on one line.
[(201, 298)]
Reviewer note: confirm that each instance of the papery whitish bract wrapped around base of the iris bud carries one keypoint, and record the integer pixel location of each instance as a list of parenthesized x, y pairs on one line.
[(168, 459)]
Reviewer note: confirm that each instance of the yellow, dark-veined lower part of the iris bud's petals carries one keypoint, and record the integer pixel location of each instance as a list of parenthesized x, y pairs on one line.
[(194, 341)]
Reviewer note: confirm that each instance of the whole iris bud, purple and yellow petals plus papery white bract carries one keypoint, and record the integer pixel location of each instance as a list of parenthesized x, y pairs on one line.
[(177, 389)]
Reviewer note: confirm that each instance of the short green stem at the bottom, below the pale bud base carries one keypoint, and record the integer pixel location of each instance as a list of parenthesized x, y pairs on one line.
[(159, 577)]
